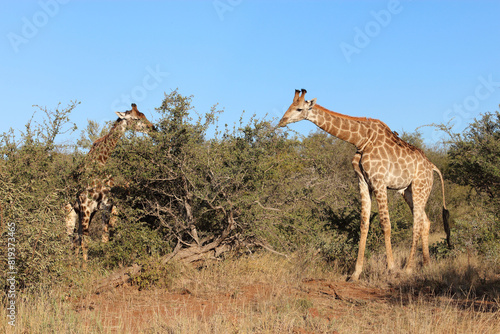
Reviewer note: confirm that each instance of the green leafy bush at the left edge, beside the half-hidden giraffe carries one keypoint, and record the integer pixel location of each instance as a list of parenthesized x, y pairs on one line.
[(31, 192)]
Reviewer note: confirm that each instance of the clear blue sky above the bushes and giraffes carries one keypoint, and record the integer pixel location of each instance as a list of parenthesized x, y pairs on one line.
[(405, 63)]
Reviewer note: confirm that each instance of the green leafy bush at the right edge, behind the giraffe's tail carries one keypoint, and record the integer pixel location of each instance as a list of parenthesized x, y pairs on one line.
[(473, 164)]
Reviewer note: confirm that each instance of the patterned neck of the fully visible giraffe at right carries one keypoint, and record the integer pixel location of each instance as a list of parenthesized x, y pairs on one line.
[(354, 130)]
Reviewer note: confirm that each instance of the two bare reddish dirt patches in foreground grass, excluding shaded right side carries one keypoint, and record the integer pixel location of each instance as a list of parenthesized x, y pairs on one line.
[(127, 308)]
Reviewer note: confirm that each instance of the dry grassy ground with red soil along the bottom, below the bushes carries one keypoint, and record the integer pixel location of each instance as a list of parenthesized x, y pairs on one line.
[(264, 293)]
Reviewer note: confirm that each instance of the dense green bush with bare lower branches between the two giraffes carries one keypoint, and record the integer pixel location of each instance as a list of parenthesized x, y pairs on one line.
[(249, 183)]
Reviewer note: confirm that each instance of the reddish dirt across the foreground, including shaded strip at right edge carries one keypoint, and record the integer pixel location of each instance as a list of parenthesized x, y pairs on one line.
[(125, 309)]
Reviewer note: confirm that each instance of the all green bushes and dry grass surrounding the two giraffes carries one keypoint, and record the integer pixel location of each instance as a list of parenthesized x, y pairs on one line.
[(210, 208)]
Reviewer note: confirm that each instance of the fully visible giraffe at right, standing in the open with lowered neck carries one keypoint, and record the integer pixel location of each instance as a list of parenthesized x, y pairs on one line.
[(382, 161)]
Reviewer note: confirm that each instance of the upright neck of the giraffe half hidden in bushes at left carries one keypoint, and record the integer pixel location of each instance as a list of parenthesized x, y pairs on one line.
[(104, 146)]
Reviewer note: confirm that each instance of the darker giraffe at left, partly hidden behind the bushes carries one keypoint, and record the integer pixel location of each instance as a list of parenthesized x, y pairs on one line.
[(96, 186)]
